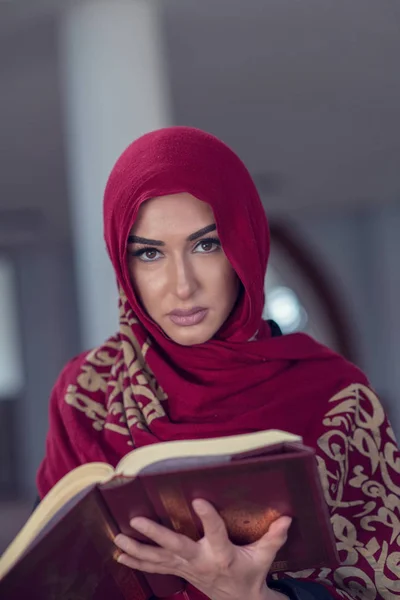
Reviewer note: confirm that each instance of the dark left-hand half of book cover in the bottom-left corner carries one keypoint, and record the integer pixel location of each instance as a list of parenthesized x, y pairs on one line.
[(75, 559)]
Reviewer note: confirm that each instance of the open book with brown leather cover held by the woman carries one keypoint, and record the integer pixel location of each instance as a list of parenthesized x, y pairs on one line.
[(252, 479)]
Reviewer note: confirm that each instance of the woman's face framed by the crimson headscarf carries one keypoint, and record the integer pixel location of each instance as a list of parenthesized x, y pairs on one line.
[(179, 270)]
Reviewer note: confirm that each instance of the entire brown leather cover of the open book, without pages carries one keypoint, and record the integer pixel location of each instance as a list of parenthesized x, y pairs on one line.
[(75, 557)]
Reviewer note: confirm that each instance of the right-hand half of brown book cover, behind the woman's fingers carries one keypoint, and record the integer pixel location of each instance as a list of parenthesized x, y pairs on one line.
[(249, 492)]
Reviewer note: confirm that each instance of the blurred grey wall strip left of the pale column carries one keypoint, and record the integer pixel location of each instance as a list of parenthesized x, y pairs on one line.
[(33, 184)]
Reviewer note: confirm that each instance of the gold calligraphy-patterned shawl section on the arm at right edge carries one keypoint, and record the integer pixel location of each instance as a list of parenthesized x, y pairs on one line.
[(357, 427)]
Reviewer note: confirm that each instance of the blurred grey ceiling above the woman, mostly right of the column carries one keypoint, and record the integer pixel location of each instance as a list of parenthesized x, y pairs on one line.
[(307, 91)]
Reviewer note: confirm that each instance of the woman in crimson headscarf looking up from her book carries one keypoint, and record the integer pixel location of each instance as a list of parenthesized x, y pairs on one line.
[(188, 239)]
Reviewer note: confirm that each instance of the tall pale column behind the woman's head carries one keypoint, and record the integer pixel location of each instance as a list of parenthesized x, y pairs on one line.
[(114, 89)]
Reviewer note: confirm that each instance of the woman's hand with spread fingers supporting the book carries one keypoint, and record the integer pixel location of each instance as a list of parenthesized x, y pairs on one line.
[(213, 565)]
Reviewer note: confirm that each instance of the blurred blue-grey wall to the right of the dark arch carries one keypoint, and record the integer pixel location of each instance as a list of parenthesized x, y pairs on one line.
[(358, 249)]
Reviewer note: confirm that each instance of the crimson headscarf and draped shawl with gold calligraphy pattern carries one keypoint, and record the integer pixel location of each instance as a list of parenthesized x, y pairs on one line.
[(140, 387)]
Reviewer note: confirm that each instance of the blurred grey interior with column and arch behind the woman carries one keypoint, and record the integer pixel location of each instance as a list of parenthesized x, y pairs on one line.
[(307, 93)]
